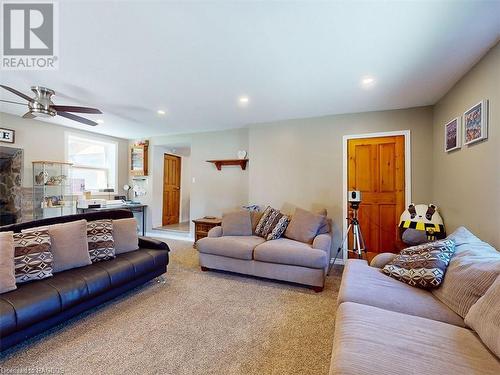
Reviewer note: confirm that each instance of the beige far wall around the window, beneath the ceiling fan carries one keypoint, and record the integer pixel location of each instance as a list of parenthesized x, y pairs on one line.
[(45, 141)]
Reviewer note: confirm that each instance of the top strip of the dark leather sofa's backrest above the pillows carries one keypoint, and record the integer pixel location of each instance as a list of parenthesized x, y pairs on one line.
[(89, 216)]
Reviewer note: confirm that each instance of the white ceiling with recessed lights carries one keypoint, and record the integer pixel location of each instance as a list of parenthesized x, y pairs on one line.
[(300, 59)]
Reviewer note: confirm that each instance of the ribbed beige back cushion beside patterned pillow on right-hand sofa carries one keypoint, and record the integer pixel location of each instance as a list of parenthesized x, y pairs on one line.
[(472, 270)]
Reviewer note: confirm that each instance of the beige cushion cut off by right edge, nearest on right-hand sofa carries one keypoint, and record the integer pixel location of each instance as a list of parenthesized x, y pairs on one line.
[(484, 317)]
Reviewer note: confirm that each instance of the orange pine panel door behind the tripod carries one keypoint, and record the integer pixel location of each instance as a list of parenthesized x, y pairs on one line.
[(376, 168)]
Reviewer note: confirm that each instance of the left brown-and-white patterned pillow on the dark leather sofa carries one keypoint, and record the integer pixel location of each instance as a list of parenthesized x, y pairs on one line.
[(32, 256)]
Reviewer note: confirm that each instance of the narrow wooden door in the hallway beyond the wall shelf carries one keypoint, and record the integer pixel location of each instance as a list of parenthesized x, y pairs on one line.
[(171, 189)]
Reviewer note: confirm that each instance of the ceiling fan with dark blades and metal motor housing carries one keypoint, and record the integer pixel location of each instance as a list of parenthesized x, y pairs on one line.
[(42, 106)]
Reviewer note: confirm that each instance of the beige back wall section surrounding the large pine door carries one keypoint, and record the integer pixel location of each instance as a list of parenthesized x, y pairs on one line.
[(299, 162)]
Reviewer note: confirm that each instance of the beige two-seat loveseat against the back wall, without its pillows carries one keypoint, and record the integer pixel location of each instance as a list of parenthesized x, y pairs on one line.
[(281, 259)]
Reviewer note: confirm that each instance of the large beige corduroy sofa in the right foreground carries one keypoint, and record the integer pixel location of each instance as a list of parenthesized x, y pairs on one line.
[(384, 326)]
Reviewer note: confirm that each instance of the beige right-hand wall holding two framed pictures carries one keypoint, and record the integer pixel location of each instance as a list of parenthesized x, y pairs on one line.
[(466, 183)]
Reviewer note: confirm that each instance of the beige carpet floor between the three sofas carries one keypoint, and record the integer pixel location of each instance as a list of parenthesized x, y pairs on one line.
[(194, 323)]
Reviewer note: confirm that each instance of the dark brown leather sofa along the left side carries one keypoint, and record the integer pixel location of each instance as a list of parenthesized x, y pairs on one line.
[(36, 306)]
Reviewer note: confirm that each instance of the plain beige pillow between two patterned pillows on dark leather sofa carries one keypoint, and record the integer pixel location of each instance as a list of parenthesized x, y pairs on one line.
[(69, 245)]
